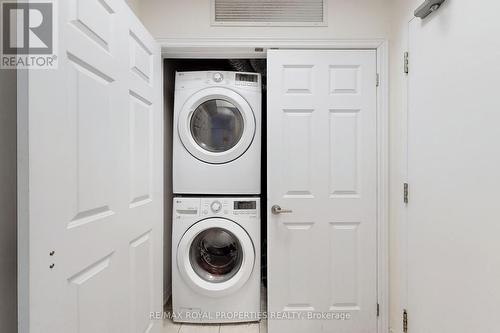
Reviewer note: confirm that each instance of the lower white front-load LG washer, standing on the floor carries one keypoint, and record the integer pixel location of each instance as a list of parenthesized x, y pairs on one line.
[(216, 260)]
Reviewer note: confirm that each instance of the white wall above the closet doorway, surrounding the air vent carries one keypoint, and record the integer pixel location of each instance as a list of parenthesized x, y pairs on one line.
[(191, 18)]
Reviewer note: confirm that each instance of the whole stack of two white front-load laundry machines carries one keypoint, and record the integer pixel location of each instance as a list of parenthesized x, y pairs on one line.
[(216, 209)]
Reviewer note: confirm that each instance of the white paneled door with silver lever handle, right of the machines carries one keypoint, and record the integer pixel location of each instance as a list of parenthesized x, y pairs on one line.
[(322, 173)]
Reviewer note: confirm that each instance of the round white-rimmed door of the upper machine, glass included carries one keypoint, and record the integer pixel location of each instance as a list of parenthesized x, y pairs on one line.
[(216, 125)]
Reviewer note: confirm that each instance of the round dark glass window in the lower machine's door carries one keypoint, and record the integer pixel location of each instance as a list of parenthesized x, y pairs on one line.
[(216, 255)]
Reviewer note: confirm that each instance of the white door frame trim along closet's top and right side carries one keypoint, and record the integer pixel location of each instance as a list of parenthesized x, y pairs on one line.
[(256, 47)]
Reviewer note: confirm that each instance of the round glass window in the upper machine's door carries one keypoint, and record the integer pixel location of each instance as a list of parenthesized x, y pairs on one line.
[(217, 125)]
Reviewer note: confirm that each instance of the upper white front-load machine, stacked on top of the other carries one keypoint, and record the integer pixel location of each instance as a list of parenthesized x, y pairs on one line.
[(217, 133)]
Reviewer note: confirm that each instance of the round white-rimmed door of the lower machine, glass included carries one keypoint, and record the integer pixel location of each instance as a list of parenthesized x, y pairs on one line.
[(215, 257)]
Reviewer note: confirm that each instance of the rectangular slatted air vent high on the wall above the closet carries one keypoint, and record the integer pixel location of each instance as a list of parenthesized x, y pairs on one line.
[(269, 12)]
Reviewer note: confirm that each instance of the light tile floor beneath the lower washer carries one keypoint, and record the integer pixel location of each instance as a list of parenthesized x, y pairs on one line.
[(261, 327)]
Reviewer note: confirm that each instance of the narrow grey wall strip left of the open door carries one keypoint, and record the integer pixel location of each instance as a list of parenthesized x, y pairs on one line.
[(8, 217)]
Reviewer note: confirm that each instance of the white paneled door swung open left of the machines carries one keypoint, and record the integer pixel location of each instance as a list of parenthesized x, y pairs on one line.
[(90, 174)]
